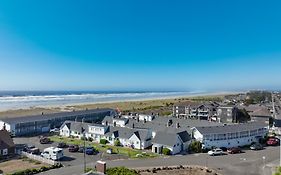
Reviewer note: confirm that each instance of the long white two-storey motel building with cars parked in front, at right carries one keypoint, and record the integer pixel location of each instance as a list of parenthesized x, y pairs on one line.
[(230, 135)]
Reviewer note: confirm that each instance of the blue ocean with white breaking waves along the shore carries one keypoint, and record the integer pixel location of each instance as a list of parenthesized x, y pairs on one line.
[(30, 99)]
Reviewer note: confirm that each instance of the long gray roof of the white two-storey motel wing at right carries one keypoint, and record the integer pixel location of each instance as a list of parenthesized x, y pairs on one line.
[(231, 128)]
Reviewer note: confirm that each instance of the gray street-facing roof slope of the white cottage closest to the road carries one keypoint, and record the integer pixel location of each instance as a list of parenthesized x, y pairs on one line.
[(163, 138)]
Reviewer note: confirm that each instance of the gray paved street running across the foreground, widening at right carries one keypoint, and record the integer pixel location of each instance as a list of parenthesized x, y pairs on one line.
[(248, 163)]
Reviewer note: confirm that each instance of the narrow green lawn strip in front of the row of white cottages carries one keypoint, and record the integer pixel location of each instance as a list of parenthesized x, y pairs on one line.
[(132, 153)]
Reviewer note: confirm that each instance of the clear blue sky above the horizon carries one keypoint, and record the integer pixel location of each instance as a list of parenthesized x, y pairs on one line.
[(157, 45)]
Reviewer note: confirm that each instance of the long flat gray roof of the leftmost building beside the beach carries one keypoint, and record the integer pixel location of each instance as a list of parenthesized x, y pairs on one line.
[(33, 118)]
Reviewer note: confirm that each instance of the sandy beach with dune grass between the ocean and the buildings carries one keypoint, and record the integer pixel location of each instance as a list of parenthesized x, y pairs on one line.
[(162, 105)]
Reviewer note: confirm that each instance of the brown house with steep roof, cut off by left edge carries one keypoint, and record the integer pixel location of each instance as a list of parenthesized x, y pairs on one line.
[(7, 146)]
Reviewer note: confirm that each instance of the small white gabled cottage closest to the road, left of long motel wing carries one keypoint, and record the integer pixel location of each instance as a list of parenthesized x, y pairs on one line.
[(175, 142)]
